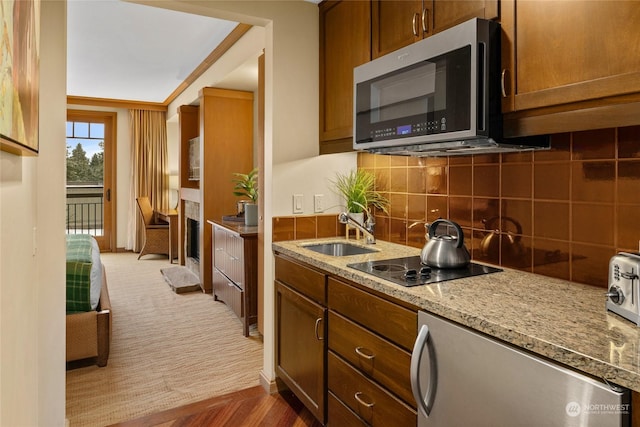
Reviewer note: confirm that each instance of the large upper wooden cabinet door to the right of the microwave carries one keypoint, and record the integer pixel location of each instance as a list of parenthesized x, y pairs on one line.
[(570, 51)]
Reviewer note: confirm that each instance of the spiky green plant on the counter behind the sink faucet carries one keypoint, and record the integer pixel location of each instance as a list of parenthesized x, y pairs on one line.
[(358, 189)]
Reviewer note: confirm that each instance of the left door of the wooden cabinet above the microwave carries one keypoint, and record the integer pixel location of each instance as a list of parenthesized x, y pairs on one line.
[(396, 24)]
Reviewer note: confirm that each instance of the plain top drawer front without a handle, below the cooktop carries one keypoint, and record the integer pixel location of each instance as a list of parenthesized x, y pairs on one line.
[(396, 323)]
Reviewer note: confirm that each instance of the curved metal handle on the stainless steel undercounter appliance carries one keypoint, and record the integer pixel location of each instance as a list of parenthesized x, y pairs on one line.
[(423, 400)]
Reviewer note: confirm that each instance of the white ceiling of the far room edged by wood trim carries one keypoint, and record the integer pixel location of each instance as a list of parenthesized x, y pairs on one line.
[(127, 51)]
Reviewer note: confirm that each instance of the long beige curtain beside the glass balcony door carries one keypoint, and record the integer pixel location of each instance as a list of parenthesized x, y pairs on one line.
[(149, 168)]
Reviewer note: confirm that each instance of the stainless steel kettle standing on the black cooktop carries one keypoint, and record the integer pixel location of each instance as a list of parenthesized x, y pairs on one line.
[(445, 250)]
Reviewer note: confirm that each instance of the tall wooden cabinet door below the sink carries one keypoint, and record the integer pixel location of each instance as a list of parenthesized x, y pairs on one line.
[(301, 348)]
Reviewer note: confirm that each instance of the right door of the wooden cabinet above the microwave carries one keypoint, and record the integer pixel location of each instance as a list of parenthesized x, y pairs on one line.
[(447, 13)]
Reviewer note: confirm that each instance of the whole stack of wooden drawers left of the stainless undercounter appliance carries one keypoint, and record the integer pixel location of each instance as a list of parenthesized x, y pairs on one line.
[(369, 358)]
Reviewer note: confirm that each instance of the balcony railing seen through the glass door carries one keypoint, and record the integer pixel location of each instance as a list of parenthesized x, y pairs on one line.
[(85, 209)]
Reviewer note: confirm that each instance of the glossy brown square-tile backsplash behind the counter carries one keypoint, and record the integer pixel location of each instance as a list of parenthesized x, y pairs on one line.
[(562, 212)]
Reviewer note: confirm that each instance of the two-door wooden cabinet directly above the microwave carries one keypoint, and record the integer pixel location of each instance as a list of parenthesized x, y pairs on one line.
[(398, 23)]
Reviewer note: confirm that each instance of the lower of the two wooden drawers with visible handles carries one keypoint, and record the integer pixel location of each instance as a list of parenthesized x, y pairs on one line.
[(371, 402)]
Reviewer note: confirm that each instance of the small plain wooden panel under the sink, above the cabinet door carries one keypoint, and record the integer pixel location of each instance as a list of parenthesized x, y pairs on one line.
[(305, 280)]
